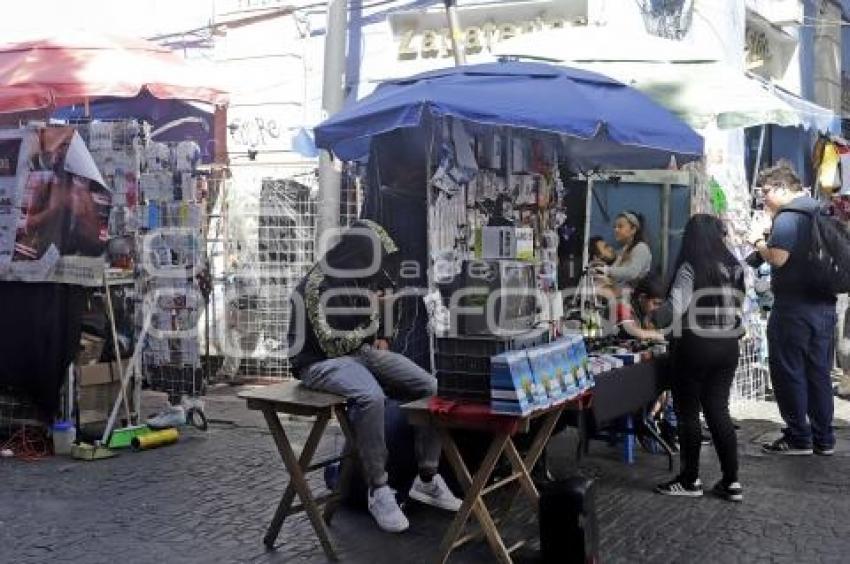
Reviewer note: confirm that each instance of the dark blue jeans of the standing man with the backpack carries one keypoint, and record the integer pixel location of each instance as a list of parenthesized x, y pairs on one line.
[(801, 346)]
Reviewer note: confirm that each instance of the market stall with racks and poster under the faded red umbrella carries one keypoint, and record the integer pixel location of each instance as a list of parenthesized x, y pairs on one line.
[(151, 244)]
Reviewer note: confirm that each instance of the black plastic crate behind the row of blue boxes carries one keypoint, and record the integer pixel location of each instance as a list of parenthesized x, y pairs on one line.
[(463, 363)]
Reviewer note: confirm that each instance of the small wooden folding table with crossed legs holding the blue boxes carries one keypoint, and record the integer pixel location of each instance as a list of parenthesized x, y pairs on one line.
[(476, 487)]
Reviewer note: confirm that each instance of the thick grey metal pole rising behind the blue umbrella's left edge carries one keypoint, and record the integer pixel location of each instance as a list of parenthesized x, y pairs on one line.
[(333, 96)]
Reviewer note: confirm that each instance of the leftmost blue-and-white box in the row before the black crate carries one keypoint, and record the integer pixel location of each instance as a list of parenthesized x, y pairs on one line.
[(512, 386)]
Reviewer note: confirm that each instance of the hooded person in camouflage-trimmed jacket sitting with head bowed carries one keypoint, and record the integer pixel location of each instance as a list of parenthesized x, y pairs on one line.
[(333, 347)]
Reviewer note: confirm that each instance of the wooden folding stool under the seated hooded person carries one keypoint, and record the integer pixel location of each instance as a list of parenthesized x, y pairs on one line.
[(292, 398)]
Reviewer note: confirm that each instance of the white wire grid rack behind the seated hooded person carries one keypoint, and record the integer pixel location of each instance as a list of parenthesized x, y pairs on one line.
[(269, 245)]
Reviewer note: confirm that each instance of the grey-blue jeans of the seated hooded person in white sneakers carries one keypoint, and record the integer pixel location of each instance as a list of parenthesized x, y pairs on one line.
[(366, 379)]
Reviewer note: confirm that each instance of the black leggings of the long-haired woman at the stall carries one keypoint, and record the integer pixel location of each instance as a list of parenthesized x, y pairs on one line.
[(703, 370)]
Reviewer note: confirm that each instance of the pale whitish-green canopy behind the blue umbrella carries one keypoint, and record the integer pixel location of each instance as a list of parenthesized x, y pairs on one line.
[(688, 80)]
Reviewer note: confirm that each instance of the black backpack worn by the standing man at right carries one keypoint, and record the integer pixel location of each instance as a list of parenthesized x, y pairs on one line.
[(829, 252)]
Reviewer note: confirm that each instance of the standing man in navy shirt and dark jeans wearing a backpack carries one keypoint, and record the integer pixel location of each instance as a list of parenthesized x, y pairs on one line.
[(801, 327)]
